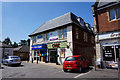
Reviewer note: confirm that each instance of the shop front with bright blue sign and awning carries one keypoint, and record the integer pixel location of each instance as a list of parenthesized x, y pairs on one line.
[(39, 52)]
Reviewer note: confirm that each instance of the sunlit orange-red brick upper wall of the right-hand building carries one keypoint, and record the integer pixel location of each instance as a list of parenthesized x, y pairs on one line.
[(104, 23)]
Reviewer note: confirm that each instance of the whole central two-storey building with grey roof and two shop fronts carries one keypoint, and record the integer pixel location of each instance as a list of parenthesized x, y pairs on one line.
[(63, 36)]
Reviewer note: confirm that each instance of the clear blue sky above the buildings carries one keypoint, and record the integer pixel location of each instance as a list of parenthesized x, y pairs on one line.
[(20, 19)]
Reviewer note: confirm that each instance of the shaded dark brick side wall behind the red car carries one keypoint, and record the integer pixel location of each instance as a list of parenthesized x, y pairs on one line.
[(81, 47)]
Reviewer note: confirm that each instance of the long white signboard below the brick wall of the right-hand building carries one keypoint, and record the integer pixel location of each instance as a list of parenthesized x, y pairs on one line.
[(109, 35)]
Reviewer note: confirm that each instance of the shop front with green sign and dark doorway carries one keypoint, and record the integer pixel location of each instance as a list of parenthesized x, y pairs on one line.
[(56, 52)]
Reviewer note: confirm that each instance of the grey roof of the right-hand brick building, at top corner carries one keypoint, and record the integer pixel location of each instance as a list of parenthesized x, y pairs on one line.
[(105, 3)]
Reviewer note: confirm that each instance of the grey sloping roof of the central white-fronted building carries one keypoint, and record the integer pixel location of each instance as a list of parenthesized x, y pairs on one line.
[(58, 22)]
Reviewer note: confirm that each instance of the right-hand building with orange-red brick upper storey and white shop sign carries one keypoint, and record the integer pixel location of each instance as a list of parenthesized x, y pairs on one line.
[(107, 29)]
